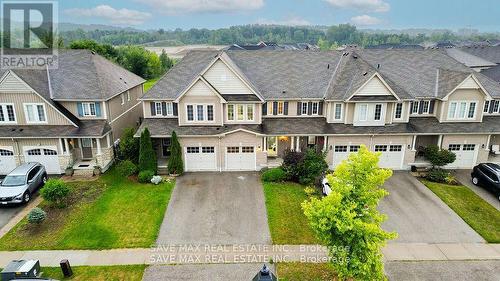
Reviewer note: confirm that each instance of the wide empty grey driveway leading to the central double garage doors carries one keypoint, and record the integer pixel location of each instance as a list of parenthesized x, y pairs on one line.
[(216, 208)]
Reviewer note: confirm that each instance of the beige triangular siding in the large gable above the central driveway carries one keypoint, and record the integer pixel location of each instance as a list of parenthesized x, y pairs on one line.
[(224, 80)]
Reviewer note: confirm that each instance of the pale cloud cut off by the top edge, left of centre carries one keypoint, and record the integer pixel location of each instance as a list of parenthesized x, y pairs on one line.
[(201, 6)]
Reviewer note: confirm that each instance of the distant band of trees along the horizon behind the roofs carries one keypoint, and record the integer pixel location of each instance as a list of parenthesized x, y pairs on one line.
[(251, 34)]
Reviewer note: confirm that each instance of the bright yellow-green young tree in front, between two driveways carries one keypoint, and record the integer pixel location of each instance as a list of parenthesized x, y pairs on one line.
[(347, 220)]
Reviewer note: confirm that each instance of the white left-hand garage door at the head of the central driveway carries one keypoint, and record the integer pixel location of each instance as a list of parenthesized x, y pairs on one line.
[(200, 158)]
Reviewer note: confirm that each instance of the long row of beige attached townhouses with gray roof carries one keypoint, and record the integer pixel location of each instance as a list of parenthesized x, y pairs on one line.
[(241, 110)]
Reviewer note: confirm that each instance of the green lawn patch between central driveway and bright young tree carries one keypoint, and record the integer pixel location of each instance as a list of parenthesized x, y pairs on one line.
[(287, 221)]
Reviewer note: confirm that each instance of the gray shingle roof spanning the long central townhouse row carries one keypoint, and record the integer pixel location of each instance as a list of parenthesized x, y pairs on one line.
[(328, 75)]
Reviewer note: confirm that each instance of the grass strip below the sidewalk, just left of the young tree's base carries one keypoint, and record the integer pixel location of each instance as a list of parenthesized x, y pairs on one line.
[(305, 271)]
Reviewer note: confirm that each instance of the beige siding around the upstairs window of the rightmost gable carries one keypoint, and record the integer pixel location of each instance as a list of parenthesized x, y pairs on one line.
[(467, 95)]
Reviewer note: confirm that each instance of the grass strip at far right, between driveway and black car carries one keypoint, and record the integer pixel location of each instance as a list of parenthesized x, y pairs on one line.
[(476, 212)]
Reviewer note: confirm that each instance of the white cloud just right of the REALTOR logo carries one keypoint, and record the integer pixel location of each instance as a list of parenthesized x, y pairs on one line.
[(115, 16)]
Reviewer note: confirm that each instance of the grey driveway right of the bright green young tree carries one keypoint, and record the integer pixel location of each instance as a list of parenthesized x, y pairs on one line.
[(418, 215)]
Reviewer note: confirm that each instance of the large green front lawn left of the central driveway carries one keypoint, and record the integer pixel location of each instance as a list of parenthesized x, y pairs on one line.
[(111, 212)]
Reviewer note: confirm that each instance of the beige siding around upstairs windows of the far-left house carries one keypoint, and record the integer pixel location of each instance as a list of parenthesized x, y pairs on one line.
[(54, 117)]
